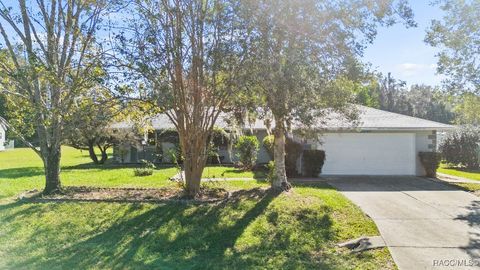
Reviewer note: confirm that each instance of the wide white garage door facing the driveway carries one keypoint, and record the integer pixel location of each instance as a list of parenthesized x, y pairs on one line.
[(369, 153)]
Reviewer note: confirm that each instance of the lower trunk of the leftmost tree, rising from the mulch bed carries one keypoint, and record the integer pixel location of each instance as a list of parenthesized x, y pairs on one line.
[(52, 171)]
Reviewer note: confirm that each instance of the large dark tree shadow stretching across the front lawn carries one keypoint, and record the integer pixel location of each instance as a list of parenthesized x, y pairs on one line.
[(198, 237)]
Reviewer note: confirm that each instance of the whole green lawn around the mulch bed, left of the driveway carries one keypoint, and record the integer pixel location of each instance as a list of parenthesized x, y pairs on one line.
[(296, 230)]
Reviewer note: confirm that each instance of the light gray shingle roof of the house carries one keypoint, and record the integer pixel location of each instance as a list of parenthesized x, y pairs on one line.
[(368, 119)]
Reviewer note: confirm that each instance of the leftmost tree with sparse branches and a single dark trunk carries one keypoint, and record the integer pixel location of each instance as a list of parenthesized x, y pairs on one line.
[(52, 59)]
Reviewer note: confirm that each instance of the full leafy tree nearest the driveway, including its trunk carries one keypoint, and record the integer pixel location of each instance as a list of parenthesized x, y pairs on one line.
[(301, 52)]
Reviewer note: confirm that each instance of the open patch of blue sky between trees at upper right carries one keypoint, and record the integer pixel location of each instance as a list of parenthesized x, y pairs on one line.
[(403, 52)]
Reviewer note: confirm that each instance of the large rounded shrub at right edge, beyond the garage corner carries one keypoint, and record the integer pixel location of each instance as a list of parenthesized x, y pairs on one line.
[(460, 148)]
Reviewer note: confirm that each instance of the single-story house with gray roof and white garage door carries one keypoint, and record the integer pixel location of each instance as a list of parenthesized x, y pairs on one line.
[(379, 143)]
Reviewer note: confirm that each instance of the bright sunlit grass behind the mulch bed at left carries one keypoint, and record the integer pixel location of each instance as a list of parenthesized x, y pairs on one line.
[(21, 169)]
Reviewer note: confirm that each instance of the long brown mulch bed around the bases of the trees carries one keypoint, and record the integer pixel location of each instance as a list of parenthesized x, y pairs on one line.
[(83, 193)]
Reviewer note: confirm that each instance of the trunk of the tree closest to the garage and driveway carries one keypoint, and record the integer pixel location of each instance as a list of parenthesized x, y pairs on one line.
[(280, 181)]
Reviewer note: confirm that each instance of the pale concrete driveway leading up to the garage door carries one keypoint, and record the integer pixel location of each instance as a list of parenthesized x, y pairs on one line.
[(425, 224)]
